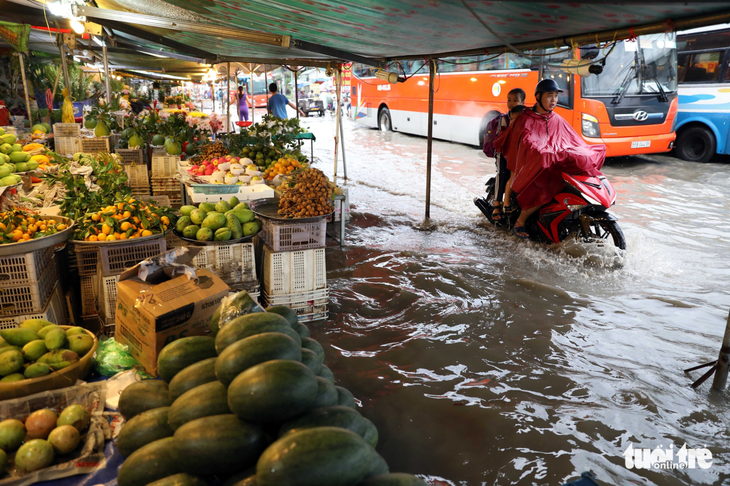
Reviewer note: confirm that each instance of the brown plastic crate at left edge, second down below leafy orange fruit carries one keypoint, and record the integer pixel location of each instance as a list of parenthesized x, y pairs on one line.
[(20, 300)]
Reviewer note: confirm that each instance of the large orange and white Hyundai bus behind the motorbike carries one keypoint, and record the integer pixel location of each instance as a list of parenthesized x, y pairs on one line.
[(631, 106)]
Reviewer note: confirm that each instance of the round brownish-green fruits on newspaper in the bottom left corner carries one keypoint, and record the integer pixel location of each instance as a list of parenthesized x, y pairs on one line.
[(42, 437)]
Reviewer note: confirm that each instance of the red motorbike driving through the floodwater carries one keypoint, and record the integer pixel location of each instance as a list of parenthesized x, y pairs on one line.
[(580, 209)]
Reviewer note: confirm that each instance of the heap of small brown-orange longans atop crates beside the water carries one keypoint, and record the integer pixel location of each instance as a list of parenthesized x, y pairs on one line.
[(309, 194)]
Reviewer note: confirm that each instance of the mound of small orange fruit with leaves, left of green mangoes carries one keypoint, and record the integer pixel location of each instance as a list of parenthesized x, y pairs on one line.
[(127, 219)]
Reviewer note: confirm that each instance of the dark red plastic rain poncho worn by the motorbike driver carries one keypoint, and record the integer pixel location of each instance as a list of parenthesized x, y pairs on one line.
[(538, 149)]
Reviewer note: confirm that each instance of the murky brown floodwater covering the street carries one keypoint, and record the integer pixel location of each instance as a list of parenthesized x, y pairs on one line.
[(484, 360)]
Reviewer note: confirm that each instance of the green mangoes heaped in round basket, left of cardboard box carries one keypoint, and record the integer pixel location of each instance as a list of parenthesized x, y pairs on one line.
[(38, 347)]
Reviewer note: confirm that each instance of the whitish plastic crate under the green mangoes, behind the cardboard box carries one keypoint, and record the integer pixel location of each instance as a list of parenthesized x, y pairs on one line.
[(234, 264)]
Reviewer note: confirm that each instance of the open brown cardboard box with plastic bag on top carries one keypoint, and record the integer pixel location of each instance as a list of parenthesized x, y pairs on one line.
[(164, 307)]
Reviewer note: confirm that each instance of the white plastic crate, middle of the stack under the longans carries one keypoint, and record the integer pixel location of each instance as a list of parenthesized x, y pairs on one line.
[(293, 272)]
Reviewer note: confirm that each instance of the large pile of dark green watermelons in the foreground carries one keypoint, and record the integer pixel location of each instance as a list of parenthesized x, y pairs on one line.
[(251, 405)]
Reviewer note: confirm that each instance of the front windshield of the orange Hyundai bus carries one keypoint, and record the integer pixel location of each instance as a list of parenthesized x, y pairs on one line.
[(640, 67)]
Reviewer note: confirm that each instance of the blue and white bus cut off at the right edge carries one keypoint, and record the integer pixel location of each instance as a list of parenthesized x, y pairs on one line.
[(703, 73)]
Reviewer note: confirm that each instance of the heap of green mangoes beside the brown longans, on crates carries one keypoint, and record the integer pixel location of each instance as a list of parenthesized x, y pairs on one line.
[(223, 221)]
